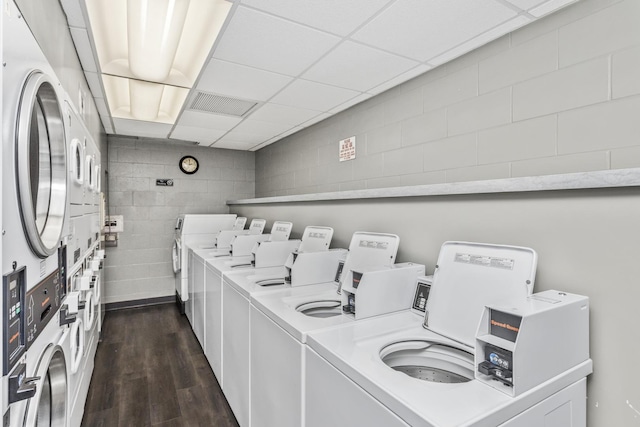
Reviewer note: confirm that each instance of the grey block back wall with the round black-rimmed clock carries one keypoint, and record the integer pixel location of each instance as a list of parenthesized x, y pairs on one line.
[(141, 266)]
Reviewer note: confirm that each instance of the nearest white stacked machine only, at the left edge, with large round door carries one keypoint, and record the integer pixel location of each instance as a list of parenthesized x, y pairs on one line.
[(34, 213)]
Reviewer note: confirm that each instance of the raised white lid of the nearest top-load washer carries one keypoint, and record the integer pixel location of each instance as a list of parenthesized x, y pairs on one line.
[(470, 276)]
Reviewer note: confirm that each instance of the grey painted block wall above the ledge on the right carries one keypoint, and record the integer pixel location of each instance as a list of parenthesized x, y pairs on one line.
[(558, 96)]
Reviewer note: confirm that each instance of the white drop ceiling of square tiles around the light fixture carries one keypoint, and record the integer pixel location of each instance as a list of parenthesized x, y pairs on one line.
[(301, 61)]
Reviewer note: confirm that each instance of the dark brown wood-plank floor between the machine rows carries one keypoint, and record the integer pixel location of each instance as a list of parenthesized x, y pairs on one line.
[(150, 371)]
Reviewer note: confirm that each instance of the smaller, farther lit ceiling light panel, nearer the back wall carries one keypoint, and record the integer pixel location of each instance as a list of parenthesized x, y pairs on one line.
[(118, 91)]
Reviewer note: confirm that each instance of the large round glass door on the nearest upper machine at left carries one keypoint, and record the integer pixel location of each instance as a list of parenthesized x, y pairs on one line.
[(41, 164)]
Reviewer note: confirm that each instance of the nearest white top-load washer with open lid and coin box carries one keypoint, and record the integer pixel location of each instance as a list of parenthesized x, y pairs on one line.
[(487, 353)]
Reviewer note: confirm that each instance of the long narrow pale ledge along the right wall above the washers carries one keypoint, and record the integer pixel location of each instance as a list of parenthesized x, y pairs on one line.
[(573, 181)]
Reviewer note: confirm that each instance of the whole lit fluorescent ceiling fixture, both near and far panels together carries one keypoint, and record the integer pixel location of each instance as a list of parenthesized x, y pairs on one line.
[(157, 46)]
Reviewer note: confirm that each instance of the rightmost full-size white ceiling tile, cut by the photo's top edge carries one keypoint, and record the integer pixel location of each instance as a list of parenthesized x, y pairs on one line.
[(424, 29)]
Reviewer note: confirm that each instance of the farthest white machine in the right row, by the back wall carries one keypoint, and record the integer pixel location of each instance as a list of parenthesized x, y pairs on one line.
[(194, 231)]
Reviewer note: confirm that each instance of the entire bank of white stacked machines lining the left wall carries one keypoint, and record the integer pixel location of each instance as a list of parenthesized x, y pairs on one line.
[(50, 235)]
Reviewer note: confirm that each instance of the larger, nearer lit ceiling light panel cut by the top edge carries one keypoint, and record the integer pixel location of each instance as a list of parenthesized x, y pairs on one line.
[(182, 38)]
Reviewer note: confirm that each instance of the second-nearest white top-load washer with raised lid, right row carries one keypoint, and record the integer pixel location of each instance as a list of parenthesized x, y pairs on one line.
[(280, 321)]
